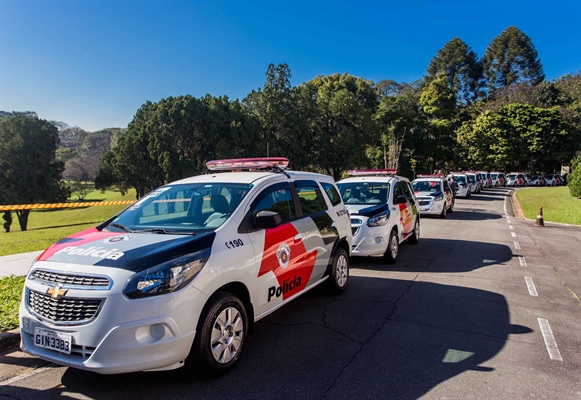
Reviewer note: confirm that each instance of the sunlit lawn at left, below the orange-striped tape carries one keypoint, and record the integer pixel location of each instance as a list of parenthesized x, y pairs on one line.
[(46, 227)]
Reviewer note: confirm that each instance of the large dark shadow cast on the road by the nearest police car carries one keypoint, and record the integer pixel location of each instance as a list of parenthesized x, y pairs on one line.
[(383, 338)]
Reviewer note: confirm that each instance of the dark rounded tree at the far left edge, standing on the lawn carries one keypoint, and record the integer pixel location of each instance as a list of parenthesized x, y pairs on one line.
[(29, 172)]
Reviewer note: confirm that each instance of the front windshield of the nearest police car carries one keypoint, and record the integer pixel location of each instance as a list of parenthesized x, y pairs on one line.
[(182, 209)]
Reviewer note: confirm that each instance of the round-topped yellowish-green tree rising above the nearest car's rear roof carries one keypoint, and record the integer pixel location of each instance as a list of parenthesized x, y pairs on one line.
[(344, 123)]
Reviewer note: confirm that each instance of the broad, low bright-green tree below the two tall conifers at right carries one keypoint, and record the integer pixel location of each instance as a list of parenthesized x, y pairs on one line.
[(518, 136)]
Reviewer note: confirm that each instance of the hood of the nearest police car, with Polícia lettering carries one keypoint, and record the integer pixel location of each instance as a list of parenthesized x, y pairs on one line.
[(130, 251)]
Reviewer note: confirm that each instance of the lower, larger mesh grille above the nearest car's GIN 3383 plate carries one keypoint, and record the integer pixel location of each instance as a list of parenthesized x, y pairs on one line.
[(63, 309)]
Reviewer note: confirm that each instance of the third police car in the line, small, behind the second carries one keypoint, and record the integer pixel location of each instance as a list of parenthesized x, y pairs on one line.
[(434, 195)]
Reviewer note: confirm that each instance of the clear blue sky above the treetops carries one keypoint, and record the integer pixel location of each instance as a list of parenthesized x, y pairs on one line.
[(94, 63)]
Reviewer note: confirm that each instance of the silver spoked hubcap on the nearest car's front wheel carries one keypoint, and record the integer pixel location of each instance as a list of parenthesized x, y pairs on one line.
[(227, 335)]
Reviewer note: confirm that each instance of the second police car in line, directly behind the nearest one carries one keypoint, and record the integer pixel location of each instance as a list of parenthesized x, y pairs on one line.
[(383, 210)]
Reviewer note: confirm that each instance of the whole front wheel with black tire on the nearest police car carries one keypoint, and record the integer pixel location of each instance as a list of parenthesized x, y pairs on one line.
[(223, 312)]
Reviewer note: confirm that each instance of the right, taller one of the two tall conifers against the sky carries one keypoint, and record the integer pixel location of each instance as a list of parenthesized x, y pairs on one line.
[(511, 58)]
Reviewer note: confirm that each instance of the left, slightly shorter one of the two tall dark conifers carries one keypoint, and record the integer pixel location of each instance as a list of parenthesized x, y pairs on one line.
[(462, 70)]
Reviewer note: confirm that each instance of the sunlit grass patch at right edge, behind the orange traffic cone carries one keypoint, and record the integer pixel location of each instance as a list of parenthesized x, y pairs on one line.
[(557, 202)]
